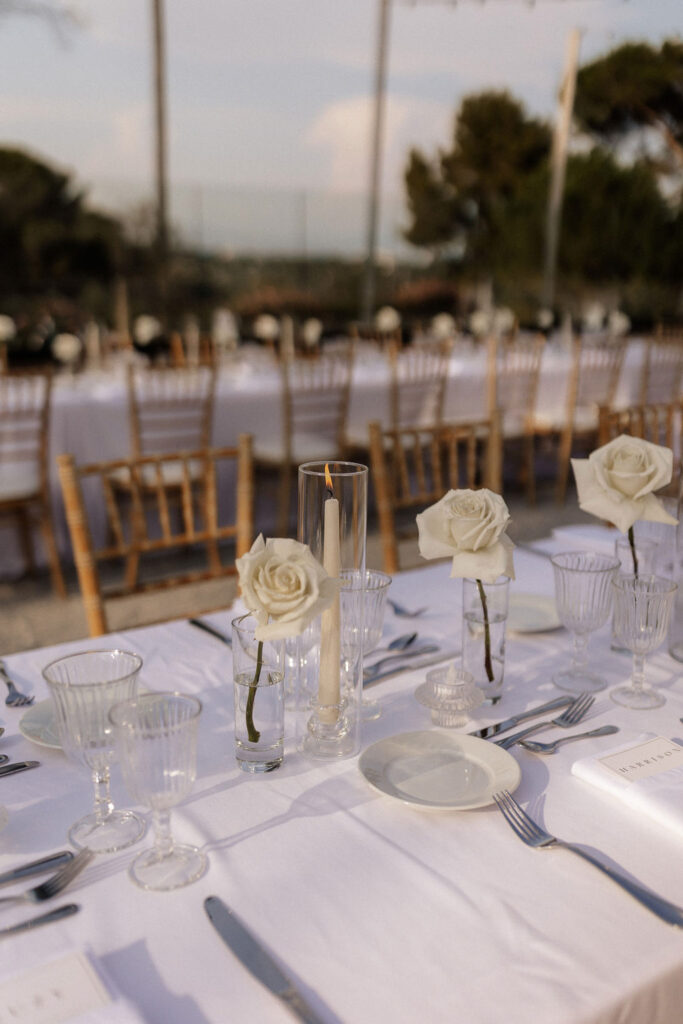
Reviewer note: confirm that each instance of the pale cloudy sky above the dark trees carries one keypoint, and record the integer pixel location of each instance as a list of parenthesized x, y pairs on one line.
[(276, 97)]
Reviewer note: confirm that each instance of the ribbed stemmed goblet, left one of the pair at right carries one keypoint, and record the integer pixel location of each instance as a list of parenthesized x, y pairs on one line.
[(583, 595)]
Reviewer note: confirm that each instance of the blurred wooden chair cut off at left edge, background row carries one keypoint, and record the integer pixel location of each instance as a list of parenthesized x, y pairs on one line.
[(25, 496)]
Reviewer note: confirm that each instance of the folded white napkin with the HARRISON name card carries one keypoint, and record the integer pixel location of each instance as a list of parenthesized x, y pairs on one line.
[(646, 774)]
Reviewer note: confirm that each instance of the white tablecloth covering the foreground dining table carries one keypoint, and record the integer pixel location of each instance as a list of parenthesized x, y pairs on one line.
[(382, 912)]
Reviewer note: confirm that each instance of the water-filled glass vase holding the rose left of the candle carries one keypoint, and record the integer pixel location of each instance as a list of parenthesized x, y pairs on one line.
[(259, 688)]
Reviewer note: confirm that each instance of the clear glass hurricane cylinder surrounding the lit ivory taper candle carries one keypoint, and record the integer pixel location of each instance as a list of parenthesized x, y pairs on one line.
[(333, 504)]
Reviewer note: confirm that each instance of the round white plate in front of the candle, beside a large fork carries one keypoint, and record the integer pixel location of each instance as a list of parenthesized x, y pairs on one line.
[(440, 772)]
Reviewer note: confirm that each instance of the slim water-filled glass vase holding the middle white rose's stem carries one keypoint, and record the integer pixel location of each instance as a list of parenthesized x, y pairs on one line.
[(485, 623)]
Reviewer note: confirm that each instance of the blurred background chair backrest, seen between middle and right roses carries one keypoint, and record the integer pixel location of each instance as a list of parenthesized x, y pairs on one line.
[(518, 371)]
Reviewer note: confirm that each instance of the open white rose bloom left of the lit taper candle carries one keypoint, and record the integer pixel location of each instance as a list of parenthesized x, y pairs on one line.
[(281, 580)]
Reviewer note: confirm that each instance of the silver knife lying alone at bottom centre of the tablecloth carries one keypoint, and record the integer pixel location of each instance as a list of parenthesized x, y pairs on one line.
[(258, 960)]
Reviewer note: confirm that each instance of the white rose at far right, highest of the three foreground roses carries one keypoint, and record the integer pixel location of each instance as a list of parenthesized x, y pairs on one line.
[(617, 482)]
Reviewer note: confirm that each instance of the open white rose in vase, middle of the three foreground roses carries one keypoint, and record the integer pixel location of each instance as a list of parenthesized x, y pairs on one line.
[(471, 527)]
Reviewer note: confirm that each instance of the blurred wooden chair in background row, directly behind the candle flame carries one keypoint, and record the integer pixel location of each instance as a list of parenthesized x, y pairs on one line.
[(315, 399)]
